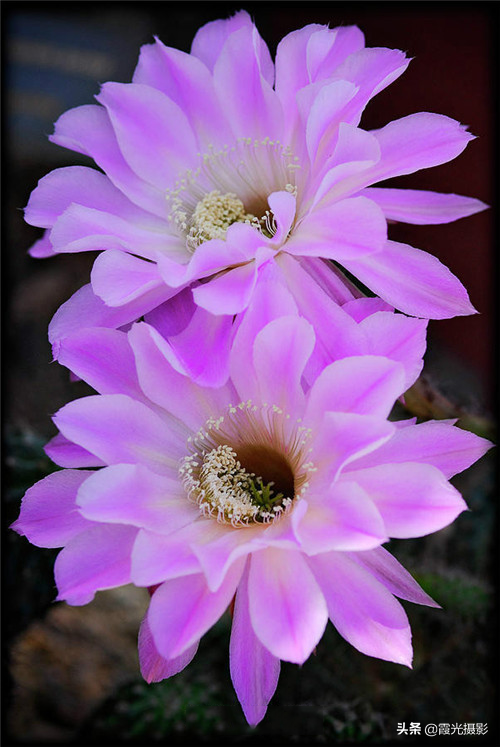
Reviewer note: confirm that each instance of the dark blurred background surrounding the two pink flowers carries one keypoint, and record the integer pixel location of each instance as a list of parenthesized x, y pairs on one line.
[(71, 674)]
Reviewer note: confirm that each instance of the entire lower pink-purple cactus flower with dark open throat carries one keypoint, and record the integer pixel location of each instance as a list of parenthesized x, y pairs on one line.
[(264, 491)]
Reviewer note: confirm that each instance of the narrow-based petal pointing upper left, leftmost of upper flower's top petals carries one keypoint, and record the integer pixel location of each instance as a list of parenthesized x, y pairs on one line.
[(88, 130)]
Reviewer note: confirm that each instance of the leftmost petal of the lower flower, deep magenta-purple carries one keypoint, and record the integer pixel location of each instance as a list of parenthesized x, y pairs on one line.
[(49, 516)]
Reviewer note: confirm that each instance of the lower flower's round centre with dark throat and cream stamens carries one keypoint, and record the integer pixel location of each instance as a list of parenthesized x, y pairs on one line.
[(247, 466)]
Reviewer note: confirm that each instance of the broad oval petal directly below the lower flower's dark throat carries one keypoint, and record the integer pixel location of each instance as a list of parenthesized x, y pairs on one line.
[(287, 609)]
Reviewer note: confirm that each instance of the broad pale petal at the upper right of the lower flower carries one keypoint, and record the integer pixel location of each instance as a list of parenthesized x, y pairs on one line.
[(368, 385)]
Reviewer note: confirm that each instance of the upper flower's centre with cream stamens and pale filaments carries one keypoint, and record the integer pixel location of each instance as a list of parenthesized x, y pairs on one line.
[(231, 186)]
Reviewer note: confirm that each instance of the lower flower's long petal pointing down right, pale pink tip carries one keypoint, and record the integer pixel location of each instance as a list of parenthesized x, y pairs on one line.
[(362, 609)]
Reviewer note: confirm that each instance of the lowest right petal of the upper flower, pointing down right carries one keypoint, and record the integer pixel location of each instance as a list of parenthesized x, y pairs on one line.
[(413, 281)]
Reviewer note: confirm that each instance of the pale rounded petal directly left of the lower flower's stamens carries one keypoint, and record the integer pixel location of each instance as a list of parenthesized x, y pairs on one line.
[(131, 494)]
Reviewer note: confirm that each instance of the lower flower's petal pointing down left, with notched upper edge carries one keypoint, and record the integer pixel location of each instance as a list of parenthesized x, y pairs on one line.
[(183, 609)]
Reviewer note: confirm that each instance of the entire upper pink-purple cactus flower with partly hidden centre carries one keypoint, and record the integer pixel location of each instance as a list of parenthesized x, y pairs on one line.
[(219, 163)]
